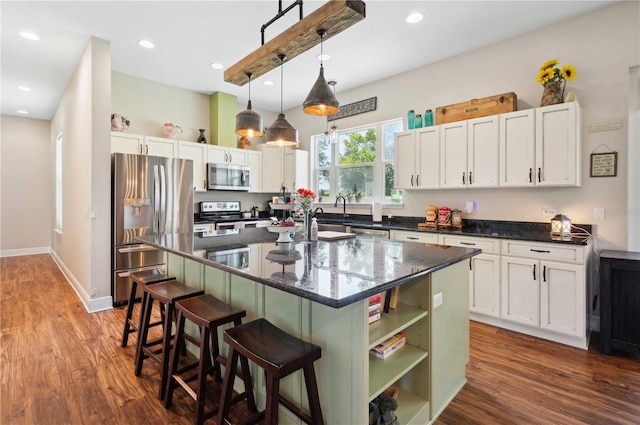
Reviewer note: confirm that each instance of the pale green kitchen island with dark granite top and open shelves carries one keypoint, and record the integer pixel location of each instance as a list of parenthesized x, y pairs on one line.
[(320, 292)]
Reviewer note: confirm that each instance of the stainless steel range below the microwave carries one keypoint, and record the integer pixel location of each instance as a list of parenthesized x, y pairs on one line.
[(223, 215)]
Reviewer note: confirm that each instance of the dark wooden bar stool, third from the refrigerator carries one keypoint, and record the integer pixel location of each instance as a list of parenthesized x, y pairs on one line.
[(207, 312)]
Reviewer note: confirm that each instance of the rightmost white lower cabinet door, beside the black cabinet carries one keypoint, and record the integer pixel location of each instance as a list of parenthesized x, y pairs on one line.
[(563, 298)]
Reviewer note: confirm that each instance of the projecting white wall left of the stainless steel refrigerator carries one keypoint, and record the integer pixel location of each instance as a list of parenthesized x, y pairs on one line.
[(82, 249)]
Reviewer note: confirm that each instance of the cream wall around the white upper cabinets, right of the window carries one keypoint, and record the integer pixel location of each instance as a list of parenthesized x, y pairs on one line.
[(602, 45)]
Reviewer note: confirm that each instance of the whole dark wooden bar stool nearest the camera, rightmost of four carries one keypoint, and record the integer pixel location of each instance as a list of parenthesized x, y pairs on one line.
[(279, 354)]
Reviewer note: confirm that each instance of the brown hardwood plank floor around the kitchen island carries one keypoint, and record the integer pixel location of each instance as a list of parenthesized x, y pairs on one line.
[(62, 365)]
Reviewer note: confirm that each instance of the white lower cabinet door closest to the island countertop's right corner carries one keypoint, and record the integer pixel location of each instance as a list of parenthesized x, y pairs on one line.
[(484, 284)]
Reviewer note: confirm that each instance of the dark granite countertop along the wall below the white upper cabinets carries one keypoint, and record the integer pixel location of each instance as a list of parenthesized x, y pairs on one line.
[(515, 230)]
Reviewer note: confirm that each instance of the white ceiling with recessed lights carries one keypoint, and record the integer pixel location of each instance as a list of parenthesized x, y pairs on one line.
[(189, 35)]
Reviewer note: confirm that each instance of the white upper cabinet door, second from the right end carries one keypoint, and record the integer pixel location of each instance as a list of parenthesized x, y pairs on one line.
[(517, 149)]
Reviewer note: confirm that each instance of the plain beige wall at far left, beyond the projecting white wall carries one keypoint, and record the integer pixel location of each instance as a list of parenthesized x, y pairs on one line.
[(26, 193)]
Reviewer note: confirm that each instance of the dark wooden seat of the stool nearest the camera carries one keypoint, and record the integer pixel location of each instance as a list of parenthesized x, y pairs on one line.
[(257, 341)]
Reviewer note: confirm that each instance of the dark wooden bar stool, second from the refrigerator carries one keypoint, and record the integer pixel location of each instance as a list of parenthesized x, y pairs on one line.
[(166, 293)]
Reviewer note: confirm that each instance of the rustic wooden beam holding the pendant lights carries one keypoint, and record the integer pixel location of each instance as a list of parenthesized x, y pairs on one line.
[(334, 17)]
